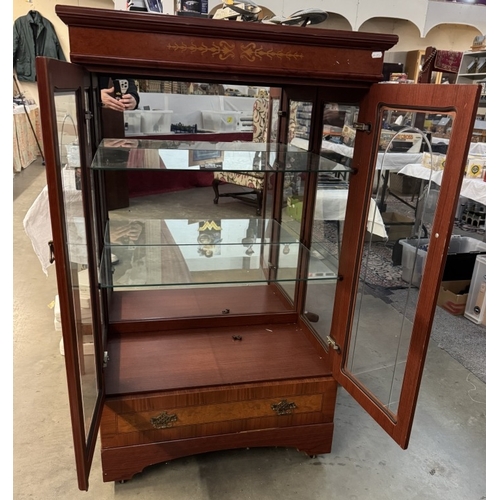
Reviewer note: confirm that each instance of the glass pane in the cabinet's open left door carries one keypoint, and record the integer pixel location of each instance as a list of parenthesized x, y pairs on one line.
[(66, 109)]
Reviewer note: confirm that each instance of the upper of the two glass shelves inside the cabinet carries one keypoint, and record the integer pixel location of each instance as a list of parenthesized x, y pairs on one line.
[(135, 154)]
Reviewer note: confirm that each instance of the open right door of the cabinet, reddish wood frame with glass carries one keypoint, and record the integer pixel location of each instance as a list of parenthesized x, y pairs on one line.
[(380, 347)]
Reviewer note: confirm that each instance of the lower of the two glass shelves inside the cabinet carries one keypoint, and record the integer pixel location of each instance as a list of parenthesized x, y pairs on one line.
[(170, 253)]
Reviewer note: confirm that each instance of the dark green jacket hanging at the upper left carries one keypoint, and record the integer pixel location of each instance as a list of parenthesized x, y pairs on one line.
[(33, 36)]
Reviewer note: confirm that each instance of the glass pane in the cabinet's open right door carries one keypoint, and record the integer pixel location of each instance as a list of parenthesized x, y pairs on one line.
[(406, 190)]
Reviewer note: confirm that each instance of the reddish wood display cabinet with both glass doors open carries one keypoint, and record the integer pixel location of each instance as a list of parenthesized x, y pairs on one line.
[(210, 327)]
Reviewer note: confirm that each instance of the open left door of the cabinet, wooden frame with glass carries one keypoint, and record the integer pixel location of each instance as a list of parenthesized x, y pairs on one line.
[(65, 101)]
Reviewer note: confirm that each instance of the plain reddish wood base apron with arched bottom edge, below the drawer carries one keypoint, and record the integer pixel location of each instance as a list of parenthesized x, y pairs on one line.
[(122, 463)]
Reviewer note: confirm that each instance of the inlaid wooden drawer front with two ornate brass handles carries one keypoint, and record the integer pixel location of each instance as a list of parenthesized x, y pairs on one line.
[(223, 410)]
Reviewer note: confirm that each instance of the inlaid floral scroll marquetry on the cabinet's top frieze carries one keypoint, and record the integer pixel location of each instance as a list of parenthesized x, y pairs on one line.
[(225, 50)]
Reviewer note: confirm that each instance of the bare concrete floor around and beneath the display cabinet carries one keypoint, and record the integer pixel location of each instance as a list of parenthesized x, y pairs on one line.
[(446, 458)]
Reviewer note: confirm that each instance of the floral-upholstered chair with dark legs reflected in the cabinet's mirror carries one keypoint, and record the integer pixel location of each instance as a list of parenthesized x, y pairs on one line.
[(251, 184)]
